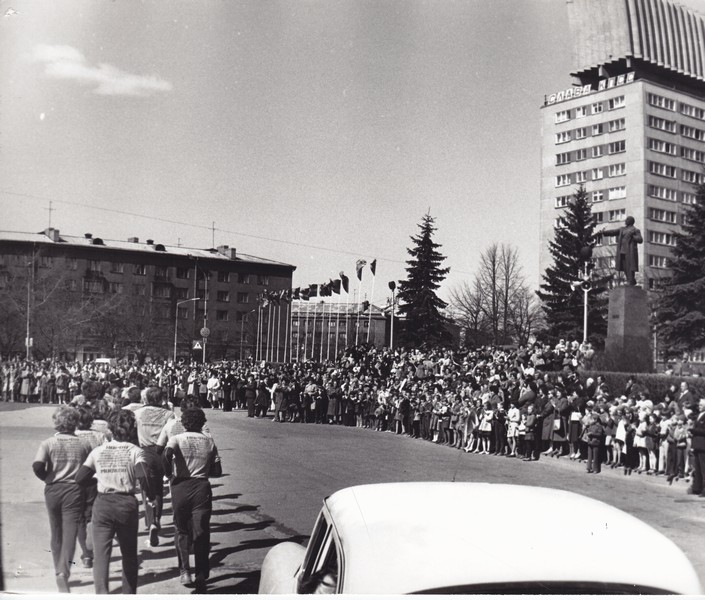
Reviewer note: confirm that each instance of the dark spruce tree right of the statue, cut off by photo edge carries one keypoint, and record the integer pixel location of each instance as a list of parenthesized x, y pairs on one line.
[(680, 306)]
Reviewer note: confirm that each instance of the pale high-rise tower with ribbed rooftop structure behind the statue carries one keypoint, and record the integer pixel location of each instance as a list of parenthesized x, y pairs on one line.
[(632, 127)]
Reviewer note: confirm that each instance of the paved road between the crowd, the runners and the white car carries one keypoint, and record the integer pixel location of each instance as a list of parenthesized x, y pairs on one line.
[(276, 477)]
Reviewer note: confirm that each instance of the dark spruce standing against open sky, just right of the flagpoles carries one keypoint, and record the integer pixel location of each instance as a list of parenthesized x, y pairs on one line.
[(425, 325)]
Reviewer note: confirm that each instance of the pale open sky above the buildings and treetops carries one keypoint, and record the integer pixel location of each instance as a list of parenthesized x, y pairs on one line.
[(312, 132)]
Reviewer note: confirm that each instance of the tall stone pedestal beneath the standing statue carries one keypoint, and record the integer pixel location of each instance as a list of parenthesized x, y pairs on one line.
[(628, 343)]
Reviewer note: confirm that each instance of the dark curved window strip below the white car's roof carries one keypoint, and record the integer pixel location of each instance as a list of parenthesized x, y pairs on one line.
[(549, 587)]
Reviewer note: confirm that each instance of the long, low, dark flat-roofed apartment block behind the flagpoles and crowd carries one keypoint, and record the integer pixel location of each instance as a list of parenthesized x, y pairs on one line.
[(84, 297)]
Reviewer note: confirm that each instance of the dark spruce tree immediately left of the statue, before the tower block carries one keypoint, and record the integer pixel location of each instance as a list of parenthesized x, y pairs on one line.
[(562, 304)]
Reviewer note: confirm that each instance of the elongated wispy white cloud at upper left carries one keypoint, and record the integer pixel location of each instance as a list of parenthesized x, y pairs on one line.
[(66, 62)]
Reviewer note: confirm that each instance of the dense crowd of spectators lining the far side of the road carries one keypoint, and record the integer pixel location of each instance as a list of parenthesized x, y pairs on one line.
[(524, 403)]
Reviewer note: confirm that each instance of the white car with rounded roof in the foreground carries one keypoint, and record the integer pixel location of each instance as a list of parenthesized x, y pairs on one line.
[(476, 538)]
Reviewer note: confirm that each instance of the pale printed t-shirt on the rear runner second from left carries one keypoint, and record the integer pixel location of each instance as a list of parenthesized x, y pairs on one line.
[(114, 465)]
